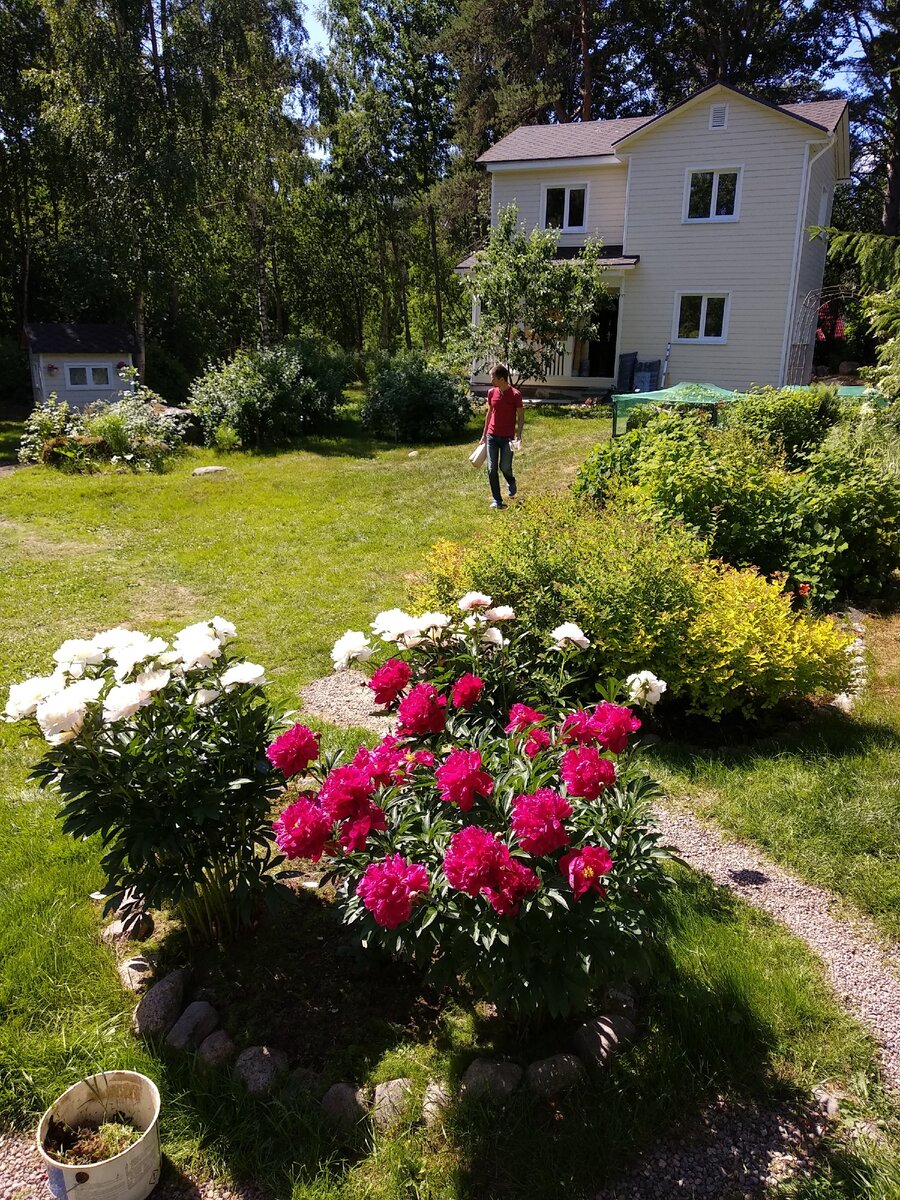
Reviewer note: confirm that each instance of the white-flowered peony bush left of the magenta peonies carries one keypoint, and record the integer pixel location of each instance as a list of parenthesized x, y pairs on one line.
[(160, 751)]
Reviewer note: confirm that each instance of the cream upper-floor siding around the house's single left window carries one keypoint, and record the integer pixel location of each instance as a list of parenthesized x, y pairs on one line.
[(607, 199)]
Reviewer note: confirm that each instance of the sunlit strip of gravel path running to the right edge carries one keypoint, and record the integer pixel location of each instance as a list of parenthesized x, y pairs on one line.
[(866, 979)]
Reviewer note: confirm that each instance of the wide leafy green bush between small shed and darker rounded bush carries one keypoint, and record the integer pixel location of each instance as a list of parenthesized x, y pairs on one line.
[(266, 397)]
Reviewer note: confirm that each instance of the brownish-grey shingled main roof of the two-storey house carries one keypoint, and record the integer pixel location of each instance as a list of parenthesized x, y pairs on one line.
[(596, 140)]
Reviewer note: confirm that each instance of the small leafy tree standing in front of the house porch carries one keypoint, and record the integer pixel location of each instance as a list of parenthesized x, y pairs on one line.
[(530, 303)]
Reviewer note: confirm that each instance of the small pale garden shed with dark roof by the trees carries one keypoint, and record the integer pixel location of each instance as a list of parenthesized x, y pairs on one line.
[(80, 363)]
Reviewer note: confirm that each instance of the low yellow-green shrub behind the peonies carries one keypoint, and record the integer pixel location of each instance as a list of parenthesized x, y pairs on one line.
[(724, 640)]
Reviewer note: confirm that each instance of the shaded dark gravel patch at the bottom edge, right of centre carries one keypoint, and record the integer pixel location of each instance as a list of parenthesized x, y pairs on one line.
[(736, 1150)]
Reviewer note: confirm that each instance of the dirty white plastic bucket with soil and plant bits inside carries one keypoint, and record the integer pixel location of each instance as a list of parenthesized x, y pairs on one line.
[(131, 1175)]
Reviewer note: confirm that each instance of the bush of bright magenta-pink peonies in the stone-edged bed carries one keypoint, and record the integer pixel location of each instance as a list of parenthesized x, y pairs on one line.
[(523, 866)]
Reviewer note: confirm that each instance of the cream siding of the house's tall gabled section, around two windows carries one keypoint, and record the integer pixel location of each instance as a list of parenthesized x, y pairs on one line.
[(752, 260)]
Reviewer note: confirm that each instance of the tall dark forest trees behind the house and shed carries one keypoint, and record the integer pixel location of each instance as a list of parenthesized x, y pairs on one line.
[(206, 173)]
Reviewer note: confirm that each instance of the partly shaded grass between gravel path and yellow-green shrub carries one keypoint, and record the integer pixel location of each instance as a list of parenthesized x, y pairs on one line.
[(824, 796)]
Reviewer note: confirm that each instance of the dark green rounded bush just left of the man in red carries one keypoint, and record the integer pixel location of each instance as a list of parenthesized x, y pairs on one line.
[(411, 401)]
